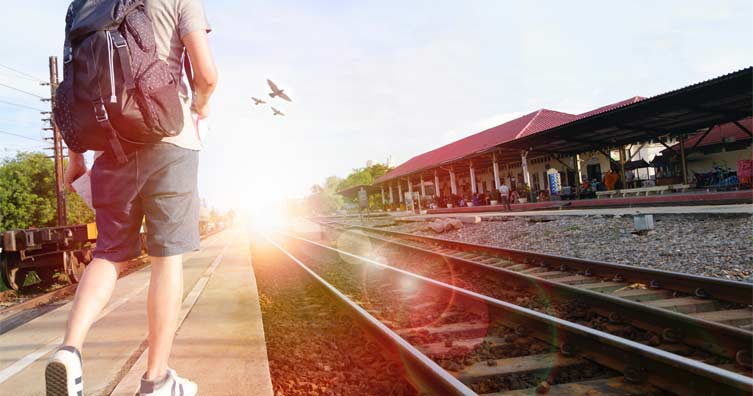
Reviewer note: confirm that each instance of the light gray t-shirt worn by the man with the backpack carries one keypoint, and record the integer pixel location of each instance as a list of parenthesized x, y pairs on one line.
[(172, 20)]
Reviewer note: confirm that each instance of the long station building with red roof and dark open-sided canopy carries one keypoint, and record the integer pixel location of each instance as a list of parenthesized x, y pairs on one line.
[(665, 140)]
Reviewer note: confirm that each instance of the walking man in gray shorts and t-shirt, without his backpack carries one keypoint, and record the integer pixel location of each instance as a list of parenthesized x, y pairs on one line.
[(158, 182)]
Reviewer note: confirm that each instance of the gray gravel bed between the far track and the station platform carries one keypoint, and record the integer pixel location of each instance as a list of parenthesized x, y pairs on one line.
[(719, 246)]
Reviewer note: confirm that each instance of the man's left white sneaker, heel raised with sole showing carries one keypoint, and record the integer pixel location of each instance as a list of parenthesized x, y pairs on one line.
[(63, 376)]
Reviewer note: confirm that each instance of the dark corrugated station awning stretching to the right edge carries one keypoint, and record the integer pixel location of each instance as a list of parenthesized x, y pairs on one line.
[(686, 110)]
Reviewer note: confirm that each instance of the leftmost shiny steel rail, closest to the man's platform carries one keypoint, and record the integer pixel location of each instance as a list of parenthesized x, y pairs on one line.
[(425, 374)]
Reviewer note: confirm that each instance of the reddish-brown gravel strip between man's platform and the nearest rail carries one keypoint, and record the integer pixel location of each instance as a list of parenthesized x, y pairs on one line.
[(314, 346)]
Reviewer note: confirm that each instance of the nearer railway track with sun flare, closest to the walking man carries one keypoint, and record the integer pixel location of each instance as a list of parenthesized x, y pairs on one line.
[(498, 348)]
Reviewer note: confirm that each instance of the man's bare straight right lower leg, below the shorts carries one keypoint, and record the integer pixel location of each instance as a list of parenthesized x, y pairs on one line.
[(163, 308)]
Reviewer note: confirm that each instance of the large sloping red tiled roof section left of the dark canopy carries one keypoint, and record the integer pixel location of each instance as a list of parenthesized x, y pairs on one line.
[(523, 126)]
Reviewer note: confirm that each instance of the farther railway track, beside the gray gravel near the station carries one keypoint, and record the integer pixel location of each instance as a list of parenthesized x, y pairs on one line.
[(677, 310)]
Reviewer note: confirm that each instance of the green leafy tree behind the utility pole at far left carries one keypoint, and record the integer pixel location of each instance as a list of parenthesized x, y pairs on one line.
[(27, 194)]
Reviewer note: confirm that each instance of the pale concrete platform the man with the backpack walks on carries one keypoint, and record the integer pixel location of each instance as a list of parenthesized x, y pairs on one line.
[(220, 344)]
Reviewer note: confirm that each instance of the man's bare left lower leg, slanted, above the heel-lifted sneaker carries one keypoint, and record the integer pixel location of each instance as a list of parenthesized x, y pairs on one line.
[(92, 295)]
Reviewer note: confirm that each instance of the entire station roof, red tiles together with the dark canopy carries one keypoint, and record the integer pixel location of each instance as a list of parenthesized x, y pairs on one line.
[(686, 110)]
